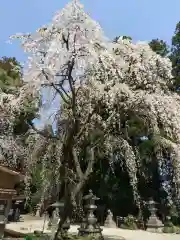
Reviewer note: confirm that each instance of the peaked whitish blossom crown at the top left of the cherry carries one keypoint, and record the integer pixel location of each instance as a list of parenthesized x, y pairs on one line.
[(50, 50)]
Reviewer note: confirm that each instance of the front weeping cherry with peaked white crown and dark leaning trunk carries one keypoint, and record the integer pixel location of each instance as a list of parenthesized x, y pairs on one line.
[(61, 56)]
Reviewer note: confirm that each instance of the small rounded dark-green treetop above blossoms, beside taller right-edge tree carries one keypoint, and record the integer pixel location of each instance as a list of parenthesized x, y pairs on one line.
[(160, 47)]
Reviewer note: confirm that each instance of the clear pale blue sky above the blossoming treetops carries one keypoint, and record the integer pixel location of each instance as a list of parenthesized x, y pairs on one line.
[(141, 19)]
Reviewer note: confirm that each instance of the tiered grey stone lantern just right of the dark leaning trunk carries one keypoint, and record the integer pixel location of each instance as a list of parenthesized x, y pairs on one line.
[(90, 226)]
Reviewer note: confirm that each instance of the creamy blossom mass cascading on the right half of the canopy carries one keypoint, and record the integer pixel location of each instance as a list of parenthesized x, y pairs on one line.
[(136, 81)]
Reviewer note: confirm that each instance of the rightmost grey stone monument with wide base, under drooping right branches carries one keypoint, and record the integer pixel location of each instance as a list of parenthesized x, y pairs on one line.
[(153, 224)]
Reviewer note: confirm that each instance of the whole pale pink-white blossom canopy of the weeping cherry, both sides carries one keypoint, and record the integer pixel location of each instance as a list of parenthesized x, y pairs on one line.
[(112, 81)]
